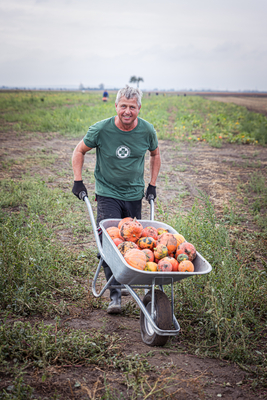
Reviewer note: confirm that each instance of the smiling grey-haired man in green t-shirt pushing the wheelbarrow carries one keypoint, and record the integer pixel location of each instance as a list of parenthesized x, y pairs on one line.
[(121, 143)]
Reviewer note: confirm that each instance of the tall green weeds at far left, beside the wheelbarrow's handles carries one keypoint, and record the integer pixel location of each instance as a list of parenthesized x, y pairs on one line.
[(35, 269)]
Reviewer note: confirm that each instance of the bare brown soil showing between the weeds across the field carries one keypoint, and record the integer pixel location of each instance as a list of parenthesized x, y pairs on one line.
[(185, 169)]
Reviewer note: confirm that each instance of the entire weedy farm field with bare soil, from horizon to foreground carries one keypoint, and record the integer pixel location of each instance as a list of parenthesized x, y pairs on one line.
[(57, 341)]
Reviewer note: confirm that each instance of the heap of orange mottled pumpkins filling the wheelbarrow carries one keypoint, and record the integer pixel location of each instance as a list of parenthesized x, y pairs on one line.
[(152, 249)]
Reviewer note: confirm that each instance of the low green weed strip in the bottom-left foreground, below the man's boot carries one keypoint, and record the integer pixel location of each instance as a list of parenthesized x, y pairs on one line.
[(44, 345)]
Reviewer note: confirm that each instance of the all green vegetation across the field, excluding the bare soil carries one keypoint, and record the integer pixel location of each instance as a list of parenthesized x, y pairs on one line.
[(223, 314)]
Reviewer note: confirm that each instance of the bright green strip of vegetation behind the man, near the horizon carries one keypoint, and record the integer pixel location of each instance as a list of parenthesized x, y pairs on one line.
[(195, 118)]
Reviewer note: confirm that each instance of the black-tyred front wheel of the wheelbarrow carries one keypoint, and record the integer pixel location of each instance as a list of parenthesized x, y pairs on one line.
[(162, 318)]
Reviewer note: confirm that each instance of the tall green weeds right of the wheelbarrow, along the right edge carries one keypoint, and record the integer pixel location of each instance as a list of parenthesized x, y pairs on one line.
[(223, 314)]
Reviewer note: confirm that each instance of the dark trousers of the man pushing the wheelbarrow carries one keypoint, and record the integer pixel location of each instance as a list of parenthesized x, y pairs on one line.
[(109, 208)]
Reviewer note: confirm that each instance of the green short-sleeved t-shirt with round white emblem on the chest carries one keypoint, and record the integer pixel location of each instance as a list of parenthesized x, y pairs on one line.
[(120, 157)]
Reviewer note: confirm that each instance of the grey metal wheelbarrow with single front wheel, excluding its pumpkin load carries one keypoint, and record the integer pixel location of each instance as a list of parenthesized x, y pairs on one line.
[(157, 319)]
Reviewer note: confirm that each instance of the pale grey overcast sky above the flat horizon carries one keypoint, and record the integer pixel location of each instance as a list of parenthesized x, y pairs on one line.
[(171, 44)]
